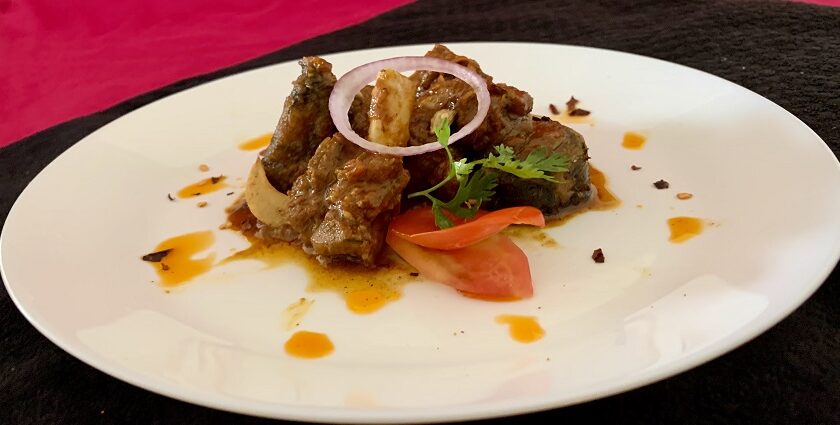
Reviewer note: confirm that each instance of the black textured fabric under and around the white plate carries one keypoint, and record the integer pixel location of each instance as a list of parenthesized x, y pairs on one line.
[(787, 52)]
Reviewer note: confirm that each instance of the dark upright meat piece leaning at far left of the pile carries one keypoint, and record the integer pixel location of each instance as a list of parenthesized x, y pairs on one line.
[(305, 122)]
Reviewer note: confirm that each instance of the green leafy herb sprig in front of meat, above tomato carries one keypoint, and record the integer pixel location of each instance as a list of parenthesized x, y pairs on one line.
[(476, 184)]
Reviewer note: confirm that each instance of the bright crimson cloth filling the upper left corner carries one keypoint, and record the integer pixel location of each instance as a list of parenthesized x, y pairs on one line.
[(64, 59)]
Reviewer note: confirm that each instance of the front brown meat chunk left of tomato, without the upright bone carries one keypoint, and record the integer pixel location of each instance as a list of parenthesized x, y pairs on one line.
[(342, 204)]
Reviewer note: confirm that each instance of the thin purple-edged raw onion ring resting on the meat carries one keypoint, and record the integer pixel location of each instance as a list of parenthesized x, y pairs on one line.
[(354, 81)]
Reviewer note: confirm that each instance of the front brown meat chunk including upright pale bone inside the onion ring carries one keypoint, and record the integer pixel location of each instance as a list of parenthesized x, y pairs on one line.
[(341, 206)]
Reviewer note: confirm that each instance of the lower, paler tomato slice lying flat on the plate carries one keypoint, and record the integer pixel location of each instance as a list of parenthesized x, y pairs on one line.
[(494, 267)]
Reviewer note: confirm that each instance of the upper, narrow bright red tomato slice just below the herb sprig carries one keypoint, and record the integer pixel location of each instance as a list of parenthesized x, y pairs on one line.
[(418, 226)]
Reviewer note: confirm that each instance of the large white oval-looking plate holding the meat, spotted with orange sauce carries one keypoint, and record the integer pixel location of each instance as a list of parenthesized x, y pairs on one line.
[(71, 243)]
